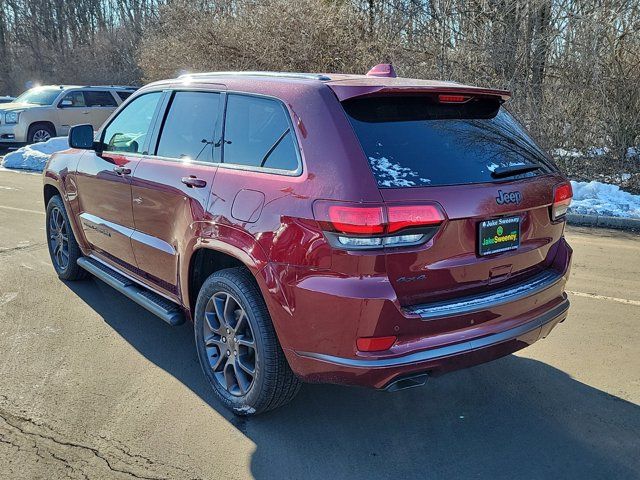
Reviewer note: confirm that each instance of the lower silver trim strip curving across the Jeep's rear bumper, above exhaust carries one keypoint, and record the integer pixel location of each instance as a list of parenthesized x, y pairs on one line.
[(449, 350)]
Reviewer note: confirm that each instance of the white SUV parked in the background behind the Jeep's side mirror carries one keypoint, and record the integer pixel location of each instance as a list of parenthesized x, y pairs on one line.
[(44, 112)]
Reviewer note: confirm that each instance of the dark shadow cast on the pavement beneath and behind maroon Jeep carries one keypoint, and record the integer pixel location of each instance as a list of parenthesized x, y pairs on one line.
[(514, 418)]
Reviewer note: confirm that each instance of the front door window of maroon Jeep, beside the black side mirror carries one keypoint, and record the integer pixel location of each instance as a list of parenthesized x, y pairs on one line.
[(128, 131)]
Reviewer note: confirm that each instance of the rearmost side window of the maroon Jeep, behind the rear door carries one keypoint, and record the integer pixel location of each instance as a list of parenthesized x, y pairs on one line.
[(258, 133)]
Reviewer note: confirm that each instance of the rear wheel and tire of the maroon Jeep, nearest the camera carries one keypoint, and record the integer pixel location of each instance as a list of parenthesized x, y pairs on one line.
[(273, 384)]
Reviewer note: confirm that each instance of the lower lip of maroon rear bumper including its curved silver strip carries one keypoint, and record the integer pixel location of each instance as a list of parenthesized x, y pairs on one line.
[(380, 372)]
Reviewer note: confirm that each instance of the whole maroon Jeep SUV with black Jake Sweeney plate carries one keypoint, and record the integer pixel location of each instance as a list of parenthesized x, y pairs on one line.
[(353, 229)]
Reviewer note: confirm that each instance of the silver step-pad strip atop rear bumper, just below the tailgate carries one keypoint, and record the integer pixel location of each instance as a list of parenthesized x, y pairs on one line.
[(475, 303)]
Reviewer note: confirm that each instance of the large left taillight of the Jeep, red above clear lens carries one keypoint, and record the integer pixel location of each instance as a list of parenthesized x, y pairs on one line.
[(362, 226)]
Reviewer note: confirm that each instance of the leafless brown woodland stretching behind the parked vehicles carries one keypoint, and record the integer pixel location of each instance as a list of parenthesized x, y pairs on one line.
[(573, 65)]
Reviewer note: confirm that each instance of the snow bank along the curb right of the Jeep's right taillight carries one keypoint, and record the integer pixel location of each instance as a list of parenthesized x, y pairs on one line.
[(596, 198)]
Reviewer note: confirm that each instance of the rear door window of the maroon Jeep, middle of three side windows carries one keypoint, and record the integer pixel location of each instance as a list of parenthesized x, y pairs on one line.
[(189, 128)]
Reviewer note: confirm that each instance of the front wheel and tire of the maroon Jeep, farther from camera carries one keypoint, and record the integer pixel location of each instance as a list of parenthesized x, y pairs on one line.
[(63, 247)]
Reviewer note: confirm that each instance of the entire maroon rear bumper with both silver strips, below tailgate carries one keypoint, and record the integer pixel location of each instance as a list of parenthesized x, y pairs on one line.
[(329, 314)]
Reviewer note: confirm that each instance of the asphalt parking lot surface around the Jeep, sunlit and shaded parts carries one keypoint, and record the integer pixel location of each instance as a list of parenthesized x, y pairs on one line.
[(92, 386)]
